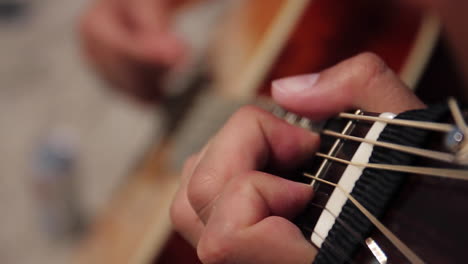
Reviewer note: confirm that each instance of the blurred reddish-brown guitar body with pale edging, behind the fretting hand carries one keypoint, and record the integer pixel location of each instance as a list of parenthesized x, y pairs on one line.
[(135, 229)]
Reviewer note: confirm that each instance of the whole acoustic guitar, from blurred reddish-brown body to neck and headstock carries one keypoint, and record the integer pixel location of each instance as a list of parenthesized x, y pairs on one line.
[(261, 42)]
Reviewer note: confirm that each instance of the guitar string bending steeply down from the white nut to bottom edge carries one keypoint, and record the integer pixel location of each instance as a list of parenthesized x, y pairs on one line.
[(405, 250)]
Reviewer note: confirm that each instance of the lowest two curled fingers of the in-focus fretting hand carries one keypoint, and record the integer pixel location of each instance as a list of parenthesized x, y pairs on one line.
[(242, 225)]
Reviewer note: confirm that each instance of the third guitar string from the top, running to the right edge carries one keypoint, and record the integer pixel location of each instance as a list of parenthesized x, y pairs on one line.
[(443, 173)]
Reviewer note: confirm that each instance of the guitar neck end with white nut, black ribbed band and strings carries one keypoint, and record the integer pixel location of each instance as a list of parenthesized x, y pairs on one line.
[(345, 232)]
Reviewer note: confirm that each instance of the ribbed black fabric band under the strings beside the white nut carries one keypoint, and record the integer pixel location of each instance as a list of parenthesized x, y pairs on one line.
[(375, 188)]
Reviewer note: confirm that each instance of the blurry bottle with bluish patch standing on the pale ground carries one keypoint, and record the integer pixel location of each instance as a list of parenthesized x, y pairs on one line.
[(54, 171)]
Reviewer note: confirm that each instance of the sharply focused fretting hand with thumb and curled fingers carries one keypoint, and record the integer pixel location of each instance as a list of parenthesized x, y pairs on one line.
[(229, 209)]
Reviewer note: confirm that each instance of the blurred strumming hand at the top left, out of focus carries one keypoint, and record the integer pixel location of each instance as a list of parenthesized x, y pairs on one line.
[(129, 42)]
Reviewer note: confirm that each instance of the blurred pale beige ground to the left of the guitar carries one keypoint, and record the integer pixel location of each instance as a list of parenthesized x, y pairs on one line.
[(66, 142)]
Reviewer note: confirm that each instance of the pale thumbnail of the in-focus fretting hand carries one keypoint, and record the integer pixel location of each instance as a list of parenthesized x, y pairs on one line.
[(294, 85)]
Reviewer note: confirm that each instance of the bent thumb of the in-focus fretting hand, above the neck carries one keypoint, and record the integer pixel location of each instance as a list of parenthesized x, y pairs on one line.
[(362, 82)]
